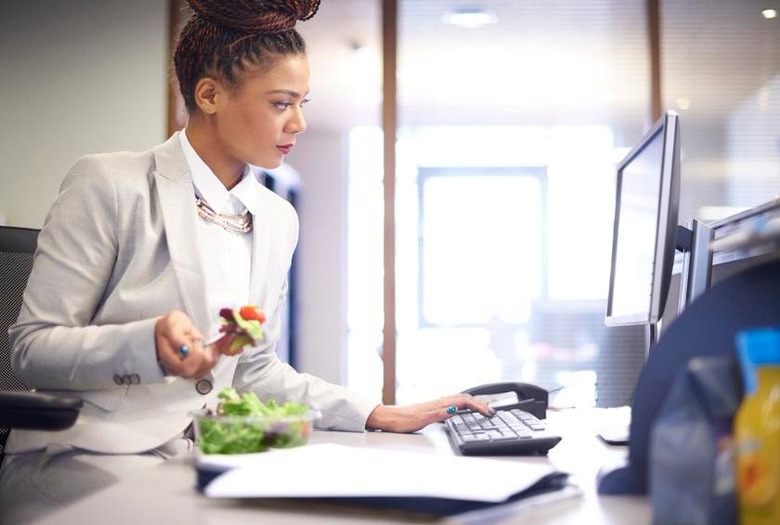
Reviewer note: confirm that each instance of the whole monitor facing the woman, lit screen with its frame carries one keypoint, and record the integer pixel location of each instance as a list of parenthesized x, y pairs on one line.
[(645, 227)]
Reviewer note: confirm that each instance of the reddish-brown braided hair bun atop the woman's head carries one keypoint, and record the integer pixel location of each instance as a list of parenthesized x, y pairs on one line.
[(255, 16)]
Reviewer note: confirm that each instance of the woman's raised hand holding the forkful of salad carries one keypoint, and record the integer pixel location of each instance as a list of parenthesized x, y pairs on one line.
[(180, 348)]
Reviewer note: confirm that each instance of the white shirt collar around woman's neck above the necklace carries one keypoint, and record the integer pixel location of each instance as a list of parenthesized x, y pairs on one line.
[(208, 186)]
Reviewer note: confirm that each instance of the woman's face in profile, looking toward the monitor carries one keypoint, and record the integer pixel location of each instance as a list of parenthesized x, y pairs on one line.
[(257, 122)]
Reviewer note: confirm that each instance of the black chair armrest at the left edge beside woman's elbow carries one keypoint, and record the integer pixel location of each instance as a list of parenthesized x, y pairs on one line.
[(38, 411)]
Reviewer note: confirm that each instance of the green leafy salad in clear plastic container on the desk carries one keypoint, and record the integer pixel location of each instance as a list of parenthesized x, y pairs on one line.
[(244, 424)]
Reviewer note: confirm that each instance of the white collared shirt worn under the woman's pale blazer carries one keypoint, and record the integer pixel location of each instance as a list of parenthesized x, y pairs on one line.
[(226, 257)]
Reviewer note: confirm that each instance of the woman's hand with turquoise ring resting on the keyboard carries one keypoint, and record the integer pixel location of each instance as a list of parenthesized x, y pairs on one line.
[(414, 417)]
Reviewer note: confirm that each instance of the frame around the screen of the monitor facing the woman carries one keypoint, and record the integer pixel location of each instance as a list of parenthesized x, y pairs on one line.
[(666, 222)]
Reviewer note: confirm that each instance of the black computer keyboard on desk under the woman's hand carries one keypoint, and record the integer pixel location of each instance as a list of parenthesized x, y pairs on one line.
[(509, 432)]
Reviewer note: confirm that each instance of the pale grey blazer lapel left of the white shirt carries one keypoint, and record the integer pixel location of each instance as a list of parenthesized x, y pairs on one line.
[(177, 202)]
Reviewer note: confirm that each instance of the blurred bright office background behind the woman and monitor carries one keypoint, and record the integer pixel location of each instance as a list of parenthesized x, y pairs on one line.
[(511, 117)]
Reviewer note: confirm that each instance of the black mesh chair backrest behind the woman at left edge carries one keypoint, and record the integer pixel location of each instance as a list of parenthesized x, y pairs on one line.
[(17, 248)]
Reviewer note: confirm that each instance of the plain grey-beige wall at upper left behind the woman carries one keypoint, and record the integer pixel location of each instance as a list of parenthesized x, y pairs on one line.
[(77, 77)]
